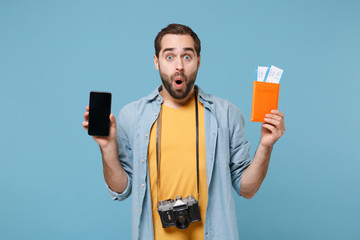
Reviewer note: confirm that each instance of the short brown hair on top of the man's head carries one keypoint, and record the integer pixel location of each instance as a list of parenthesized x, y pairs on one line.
[(179, 30)]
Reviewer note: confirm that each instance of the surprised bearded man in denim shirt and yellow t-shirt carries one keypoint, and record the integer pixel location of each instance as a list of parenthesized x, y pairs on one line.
[(181, 141)]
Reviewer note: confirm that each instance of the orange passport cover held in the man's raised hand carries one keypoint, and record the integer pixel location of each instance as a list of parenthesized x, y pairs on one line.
[(265, 99)]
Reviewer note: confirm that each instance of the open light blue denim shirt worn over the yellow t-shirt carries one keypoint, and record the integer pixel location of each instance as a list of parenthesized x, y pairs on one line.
[(227, 156)]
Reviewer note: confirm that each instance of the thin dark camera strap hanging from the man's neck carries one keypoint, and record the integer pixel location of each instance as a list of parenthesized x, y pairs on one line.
[(158, 147)]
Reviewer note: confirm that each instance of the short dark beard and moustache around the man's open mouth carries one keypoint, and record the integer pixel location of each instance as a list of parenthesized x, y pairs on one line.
[(167, 81)]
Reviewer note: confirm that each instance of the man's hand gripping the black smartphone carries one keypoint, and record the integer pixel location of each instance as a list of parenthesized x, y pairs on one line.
[(104, 142)]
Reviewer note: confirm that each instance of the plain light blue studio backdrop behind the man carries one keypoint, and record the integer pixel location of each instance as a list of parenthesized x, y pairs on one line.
[(53, 53)]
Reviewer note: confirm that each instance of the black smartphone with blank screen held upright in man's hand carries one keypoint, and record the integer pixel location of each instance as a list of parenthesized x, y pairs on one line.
[(99, 113)]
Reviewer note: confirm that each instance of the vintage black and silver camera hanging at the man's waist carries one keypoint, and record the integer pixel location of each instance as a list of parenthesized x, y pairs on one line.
[(179, 212)]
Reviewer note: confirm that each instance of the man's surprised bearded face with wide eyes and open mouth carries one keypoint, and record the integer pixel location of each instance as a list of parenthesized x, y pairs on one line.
[(178, 64)]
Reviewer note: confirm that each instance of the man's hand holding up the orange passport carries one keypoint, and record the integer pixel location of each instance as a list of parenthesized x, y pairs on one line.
[(273, 128)]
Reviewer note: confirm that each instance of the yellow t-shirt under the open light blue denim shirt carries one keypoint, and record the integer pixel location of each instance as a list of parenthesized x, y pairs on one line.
[(178, 174)]
